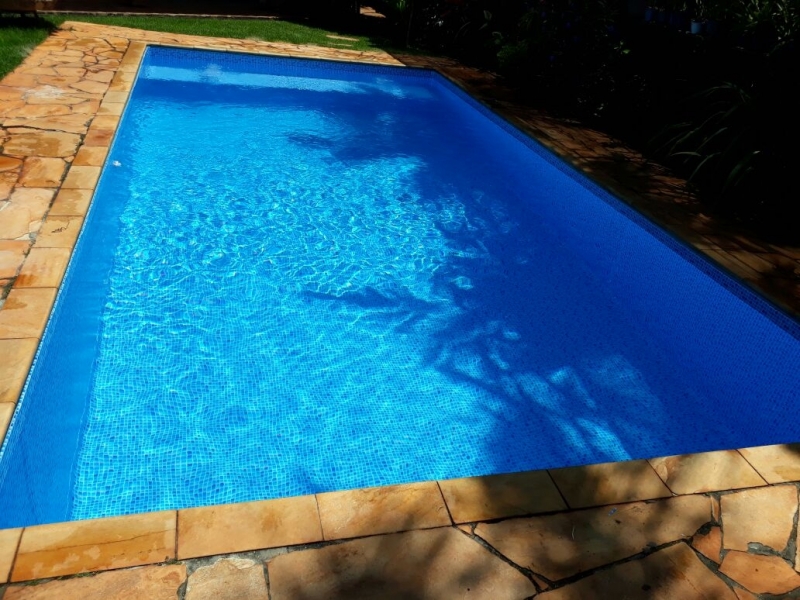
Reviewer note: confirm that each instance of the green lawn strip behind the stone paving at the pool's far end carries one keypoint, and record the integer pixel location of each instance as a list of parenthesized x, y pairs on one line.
[(19, 36)]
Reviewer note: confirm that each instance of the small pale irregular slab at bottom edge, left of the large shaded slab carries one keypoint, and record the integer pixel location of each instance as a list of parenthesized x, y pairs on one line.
[(228, 579)]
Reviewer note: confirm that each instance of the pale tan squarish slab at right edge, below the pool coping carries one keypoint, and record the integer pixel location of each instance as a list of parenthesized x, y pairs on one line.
[(763, 515)]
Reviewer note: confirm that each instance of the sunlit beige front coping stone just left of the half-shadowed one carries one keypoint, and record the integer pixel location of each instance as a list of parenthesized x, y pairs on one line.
[(387, 509)]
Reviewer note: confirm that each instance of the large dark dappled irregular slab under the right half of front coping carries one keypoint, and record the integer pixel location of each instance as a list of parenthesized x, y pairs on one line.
[(564, 544)]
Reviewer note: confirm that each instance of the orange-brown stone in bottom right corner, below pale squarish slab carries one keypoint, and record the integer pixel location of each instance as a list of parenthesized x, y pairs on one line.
[(760, 574)]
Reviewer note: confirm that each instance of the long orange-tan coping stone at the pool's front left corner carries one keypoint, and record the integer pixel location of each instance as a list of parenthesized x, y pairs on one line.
[(97, 545)]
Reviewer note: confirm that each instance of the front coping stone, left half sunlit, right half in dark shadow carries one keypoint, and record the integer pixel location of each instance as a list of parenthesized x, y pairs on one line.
[(498, 496)]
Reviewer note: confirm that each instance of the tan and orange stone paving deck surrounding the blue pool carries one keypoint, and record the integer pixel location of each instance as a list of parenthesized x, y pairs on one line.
[(716, 525)]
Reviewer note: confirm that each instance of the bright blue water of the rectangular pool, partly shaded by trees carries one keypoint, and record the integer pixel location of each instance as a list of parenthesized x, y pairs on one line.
[(300, 276)]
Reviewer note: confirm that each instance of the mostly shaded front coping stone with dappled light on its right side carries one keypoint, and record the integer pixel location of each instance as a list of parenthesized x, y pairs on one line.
[(609, 483)]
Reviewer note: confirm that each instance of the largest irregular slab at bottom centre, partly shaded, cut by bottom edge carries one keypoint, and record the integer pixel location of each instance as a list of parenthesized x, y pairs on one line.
[(435, 563)]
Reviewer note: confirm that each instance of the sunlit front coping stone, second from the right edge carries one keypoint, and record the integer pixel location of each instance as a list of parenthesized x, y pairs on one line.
[(706, 472)]
